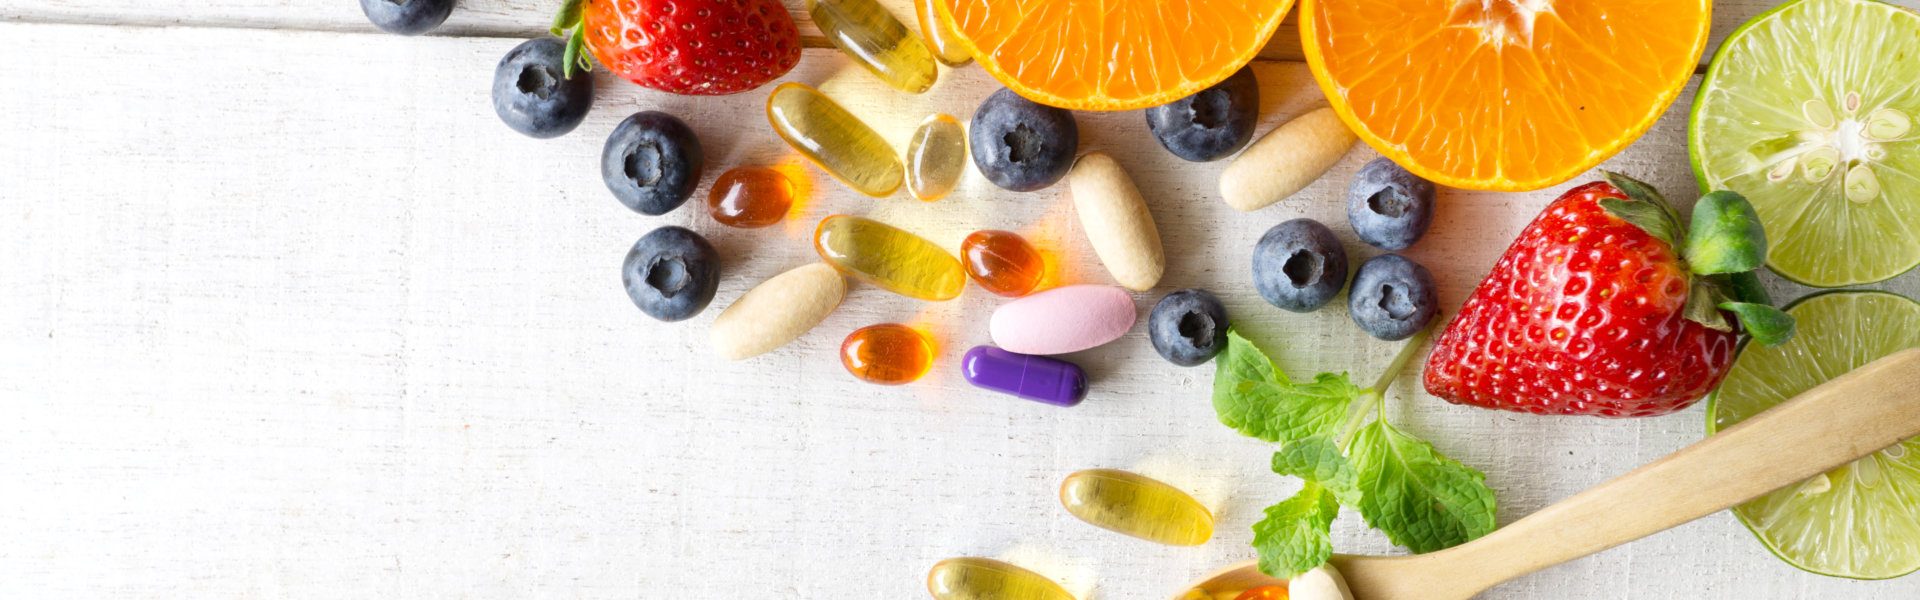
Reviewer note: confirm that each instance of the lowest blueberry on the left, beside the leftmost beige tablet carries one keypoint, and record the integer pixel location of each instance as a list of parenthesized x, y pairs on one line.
[(671, 274)]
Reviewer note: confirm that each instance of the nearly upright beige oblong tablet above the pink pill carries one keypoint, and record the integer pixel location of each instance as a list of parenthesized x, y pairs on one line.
[(1116, 222)]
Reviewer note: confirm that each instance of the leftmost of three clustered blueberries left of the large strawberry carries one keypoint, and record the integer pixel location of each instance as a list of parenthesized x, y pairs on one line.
[(1299, 266)]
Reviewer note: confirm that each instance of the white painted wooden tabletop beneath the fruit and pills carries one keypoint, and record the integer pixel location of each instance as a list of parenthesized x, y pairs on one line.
[(287, 312)]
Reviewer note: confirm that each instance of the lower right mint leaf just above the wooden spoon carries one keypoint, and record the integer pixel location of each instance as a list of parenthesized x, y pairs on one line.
[(1420, 499)]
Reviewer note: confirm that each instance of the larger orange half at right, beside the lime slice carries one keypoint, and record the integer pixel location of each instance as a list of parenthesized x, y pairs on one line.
[(1502, 95)]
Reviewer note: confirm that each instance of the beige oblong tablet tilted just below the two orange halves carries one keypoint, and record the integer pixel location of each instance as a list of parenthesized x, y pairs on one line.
[(1285, 161)]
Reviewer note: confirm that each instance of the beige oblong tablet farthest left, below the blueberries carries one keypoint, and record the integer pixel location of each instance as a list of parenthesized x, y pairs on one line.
[(779, 311)]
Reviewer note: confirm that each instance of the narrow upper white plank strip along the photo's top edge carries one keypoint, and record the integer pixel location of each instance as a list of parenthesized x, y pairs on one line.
[(517, 18)]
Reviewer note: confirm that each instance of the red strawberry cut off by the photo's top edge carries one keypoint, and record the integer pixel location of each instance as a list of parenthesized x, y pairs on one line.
[(684, 47)]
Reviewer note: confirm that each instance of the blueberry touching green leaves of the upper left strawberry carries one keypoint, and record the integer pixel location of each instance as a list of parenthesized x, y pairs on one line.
[(535, 97)]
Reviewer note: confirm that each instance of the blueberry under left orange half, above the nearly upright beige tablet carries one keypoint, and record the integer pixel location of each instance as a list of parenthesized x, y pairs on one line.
[(1022, 145)]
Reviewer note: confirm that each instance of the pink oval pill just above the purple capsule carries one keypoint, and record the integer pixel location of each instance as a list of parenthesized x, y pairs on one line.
[(1063, 320)]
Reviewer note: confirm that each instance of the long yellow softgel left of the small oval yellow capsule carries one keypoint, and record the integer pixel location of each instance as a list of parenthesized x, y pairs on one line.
[(834, 139)]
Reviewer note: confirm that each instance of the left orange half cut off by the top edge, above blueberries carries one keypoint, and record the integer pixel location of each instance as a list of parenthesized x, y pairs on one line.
[(1113, 55)]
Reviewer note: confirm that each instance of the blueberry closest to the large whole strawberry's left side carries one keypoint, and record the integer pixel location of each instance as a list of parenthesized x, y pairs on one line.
[(1393, 297)]
